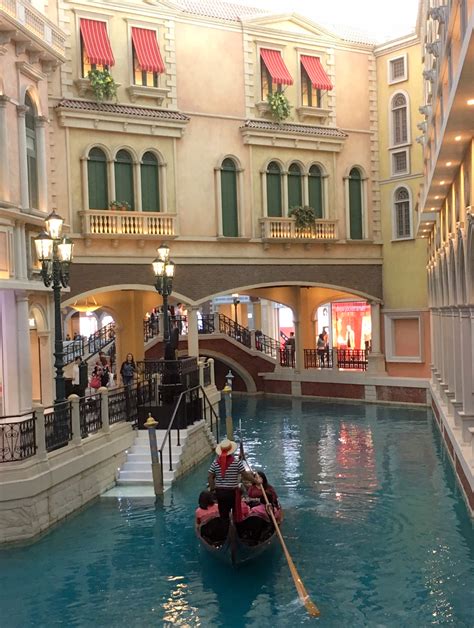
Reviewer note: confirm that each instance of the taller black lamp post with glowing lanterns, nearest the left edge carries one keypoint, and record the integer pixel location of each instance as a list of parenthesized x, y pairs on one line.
[(55, 254)]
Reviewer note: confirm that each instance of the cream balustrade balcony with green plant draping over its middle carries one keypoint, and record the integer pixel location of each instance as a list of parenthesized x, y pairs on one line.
[(285, 230)]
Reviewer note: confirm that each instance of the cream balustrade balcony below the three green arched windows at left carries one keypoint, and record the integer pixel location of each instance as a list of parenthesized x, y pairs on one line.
[(117, 224)]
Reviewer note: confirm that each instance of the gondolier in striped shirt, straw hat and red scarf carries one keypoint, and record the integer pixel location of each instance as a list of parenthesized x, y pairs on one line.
[(224, 476)]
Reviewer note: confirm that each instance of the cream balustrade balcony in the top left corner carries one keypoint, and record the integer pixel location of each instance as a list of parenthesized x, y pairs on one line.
[(30, 30)]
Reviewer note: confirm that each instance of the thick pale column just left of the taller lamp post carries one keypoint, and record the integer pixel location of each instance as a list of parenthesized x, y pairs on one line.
[(24, 351)]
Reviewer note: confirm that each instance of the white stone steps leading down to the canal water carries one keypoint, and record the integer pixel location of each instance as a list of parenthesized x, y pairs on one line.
[(136, 471)]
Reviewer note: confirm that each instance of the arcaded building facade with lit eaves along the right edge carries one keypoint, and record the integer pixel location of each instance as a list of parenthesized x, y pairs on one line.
[(445, 220)]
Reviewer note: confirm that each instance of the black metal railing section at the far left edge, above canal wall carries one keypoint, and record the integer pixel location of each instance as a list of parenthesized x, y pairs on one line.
[(18, 438)]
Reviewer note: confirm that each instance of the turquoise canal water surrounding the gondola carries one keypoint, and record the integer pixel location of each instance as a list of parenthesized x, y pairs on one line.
[(374, 521)]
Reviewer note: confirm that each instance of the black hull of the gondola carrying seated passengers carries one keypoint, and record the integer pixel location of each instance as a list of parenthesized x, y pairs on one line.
[(236, 542)]
